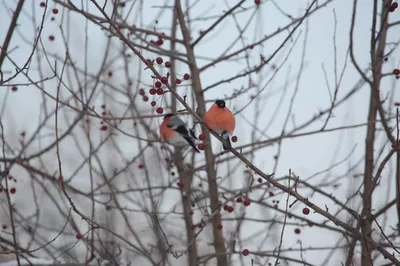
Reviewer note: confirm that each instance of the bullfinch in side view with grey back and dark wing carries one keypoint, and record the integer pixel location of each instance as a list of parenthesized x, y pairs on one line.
[(174, 131)]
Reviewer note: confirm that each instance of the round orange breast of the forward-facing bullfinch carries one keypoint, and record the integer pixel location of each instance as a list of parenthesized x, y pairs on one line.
[(220, 119)]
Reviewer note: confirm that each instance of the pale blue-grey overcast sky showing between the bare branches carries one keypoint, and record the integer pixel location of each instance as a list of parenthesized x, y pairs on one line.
[(305, 156)]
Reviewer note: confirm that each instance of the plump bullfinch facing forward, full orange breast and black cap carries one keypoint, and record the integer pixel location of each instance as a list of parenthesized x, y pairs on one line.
[(220, 119)]
